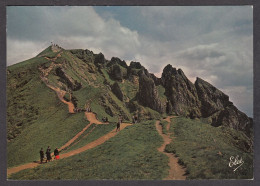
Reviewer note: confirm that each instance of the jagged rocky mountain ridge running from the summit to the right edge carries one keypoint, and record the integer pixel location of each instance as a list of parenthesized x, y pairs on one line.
[(172, 93)]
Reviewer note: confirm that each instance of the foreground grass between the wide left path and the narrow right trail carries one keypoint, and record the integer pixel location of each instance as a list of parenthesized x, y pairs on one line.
[(131, 154)]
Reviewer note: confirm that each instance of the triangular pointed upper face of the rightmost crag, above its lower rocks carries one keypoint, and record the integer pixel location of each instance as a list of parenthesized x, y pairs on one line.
[(212, 99)]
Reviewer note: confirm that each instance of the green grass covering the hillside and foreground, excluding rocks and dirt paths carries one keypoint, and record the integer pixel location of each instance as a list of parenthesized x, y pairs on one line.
[(132, 154)]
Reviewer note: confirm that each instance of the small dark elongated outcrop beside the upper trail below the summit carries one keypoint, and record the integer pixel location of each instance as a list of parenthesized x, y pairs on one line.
[(71, 84)]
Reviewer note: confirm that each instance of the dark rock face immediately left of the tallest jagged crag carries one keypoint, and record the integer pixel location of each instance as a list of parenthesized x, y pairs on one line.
[(148, 95)]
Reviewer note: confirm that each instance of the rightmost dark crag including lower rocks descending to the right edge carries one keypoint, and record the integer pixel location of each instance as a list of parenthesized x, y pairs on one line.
[(216, 105)]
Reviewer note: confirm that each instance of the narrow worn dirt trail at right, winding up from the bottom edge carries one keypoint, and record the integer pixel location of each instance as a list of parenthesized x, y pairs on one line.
[(176, 171)]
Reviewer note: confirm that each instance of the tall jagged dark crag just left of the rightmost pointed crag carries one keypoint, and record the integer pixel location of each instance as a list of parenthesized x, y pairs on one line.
[(181, 92)]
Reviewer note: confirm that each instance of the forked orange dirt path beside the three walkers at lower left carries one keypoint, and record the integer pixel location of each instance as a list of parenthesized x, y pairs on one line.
[(92, 119)]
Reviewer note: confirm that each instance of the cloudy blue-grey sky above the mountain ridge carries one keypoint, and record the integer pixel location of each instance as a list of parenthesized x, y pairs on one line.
[(213, 43)]
